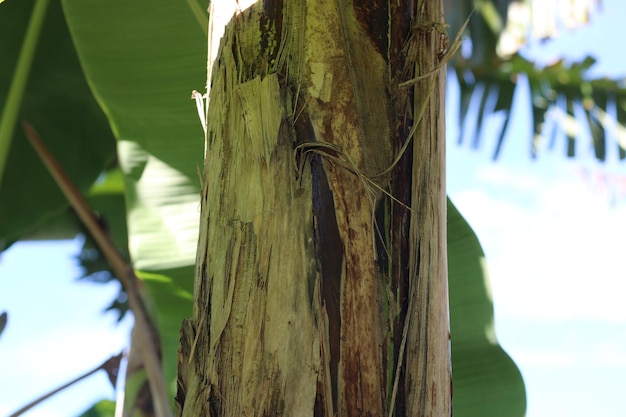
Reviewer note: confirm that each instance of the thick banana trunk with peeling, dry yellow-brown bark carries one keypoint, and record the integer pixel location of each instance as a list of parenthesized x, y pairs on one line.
[(321, 281)]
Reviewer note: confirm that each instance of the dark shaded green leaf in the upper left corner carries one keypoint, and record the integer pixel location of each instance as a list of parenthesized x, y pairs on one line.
[(58, 102)]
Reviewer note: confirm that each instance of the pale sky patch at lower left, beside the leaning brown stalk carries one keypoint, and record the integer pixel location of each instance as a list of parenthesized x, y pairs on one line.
[(56, 330)]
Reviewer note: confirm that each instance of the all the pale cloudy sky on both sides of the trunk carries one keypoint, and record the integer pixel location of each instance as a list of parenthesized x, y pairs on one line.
[(552, 230)]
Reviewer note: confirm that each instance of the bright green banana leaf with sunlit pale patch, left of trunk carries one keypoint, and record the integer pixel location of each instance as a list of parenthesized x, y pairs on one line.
[(142, 61)]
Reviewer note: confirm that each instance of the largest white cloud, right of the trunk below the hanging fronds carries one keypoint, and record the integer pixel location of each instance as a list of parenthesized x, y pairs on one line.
[(553, 246)]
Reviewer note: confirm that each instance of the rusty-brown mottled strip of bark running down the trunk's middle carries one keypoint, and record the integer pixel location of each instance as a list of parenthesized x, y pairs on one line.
[(345, 76)]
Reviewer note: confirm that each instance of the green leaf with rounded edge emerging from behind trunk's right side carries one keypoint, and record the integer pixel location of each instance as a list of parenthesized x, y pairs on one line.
[(486, 381)]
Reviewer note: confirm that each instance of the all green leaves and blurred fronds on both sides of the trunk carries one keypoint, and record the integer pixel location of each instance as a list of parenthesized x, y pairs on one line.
[(108, 90)]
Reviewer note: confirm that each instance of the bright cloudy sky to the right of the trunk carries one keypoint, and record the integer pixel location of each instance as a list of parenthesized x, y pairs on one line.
[(552, 230)]
